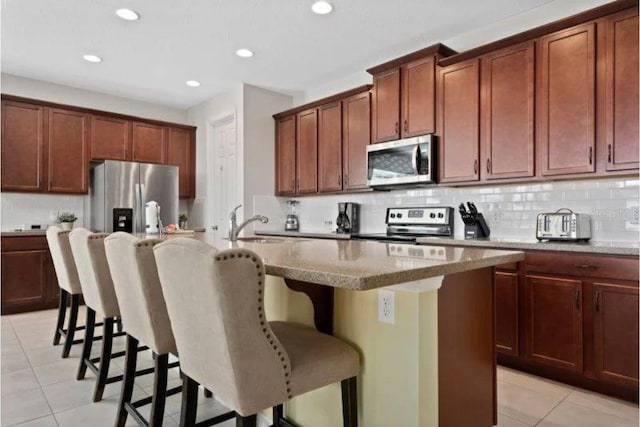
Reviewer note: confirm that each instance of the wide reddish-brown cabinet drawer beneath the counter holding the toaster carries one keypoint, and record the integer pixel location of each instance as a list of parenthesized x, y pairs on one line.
[(582, 265)]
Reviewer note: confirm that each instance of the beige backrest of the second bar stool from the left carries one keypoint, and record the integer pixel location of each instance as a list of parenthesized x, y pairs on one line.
[(93, 270)]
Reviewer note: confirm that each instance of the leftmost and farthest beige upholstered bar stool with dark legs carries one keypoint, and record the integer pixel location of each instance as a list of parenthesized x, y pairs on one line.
[(65, 266)]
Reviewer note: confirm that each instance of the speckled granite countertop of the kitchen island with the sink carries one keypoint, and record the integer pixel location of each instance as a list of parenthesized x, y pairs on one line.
[(363, 265)]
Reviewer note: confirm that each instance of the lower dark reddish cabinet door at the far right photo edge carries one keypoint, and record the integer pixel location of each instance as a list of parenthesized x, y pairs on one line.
[(615, 330)]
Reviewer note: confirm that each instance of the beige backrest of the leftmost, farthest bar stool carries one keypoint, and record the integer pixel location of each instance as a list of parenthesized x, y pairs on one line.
[(65, 266)]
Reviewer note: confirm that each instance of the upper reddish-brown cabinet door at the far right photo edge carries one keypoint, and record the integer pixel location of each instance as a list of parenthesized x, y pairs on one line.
[(621, 103)]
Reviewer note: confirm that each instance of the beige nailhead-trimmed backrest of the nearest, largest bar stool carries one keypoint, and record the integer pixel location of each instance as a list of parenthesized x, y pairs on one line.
[(215, 303)]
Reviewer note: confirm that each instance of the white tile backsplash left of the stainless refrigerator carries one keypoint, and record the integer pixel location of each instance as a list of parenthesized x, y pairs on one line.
[(23, 209)]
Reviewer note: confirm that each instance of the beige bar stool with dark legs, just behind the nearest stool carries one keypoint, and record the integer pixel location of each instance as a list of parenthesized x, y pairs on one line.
[(143, 309)]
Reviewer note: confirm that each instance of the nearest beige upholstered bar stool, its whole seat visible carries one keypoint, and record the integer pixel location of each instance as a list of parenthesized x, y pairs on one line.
[(215, 303)]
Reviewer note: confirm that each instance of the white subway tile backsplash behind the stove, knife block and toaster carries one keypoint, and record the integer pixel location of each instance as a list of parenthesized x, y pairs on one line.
[(510, 210)]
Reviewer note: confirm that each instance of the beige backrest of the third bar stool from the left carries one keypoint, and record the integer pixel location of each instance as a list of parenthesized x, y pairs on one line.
[(135, 279)]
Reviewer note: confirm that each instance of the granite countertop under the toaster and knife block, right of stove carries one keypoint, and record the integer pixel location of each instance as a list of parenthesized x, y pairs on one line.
[(607, 248)]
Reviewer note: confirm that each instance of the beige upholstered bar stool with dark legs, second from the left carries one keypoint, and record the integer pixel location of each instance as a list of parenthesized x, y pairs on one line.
[(100, 297)]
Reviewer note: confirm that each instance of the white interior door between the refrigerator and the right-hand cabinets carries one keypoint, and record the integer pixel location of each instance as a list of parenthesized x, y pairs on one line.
[(223, 179)]
